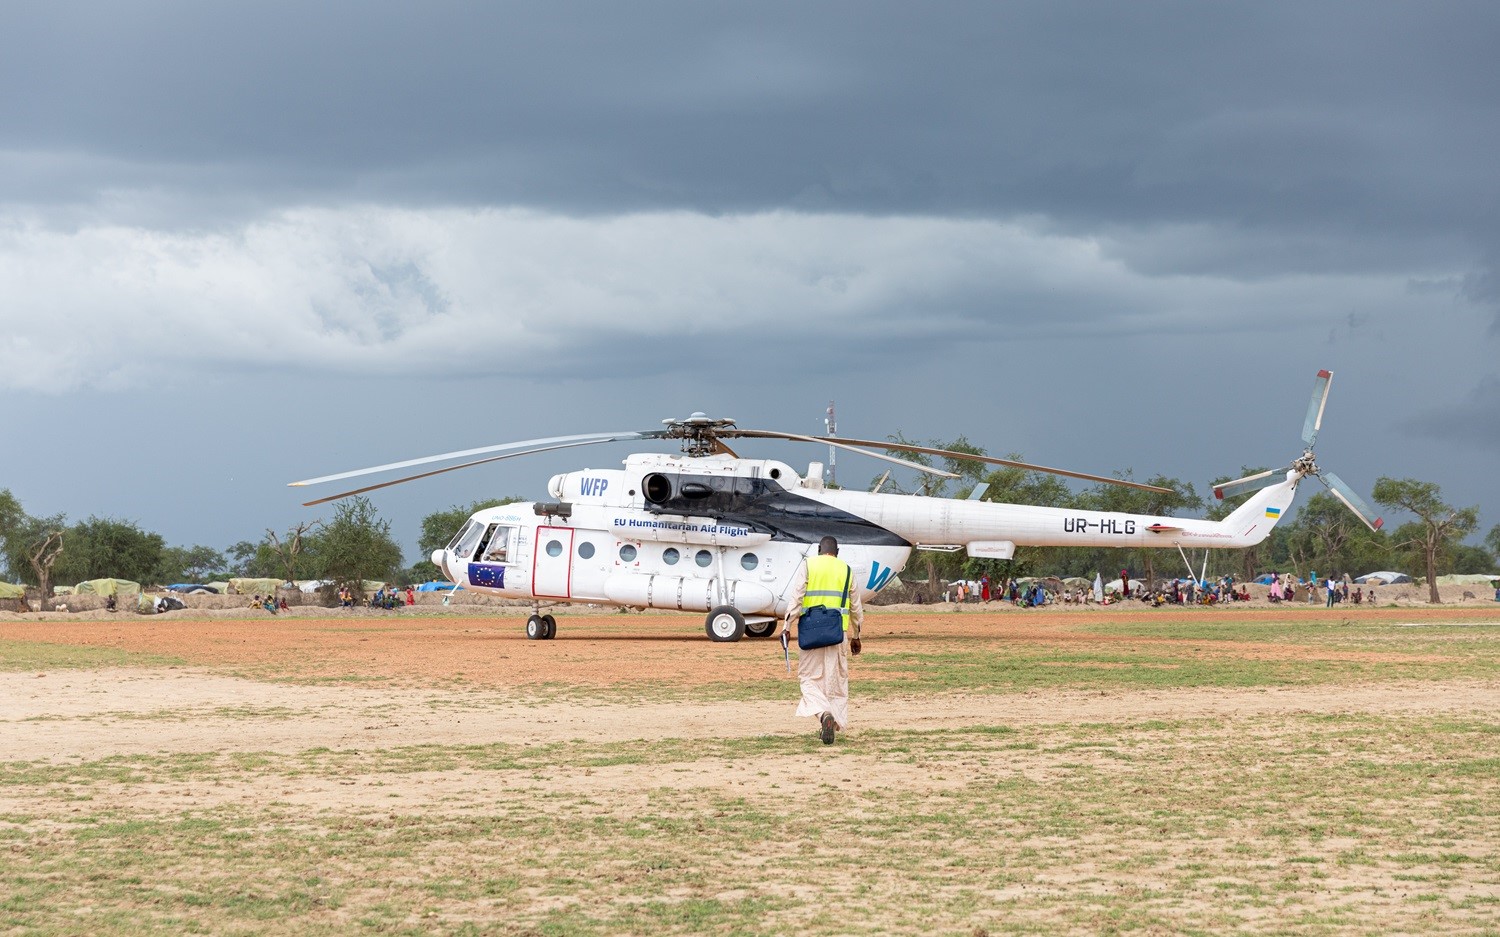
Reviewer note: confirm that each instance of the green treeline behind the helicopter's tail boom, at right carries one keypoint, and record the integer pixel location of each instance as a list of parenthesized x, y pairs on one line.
[(1325, 536)]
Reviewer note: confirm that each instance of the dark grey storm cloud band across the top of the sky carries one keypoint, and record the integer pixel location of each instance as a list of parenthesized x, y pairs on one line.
[(1331, 116)]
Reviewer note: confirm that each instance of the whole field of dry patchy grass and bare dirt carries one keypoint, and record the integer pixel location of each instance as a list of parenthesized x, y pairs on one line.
[(1205, 771)]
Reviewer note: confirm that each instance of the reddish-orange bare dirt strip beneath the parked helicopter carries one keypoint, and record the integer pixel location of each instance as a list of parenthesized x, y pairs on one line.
[(605, 648)]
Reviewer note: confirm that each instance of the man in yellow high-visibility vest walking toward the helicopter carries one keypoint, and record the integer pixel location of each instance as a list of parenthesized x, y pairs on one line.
[(827, 582)]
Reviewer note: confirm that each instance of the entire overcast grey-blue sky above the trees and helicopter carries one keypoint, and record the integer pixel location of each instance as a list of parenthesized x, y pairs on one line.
[(251, 244)]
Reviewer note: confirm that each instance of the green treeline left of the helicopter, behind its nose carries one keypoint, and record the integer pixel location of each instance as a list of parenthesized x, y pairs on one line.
[(352, 545)]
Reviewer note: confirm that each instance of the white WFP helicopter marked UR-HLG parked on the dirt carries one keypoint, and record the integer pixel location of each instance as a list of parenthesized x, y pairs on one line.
[(709, 531)]
